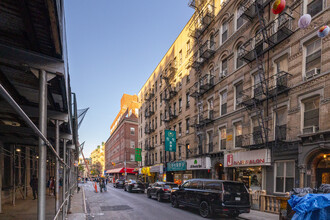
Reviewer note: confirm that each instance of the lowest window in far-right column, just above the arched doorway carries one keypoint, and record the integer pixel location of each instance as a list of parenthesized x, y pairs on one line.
[(311, 114)]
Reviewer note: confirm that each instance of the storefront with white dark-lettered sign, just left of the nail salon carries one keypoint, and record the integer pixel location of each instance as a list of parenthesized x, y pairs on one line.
[(200, 167)]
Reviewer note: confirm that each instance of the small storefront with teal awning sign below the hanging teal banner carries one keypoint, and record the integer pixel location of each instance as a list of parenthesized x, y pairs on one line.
[(178, 172)]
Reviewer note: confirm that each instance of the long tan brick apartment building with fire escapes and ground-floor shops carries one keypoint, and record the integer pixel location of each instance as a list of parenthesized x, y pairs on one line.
[(259, 96)]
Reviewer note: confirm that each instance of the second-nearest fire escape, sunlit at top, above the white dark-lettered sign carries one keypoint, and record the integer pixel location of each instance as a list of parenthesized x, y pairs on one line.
[(205, 49)]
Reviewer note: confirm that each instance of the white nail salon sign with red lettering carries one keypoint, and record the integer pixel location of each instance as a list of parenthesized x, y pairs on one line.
[(248, 158)]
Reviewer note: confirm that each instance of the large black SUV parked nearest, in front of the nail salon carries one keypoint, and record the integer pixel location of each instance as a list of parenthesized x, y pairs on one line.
[(212, 196)]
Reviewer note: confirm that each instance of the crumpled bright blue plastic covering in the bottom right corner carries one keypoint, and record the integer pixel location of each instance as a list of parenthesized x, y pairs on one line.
[(310, 207)]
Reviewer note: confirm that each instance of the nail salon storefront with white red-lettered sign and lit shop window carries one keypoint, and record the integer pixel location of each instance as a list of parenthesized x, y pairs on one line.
[(248, 167)]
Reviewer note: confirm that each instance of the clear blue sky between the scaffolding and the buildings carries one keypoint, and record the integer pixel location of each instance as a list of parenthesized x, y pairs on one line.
[(113, 48)]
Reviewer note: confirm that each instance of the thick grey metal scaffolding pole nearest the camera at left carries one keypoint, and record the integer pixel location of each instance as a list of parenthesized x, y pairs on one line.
[(42, 145)]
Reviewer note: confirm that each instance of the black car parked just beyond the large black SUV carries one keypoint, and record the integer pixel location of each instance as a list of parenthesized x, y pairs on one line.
[(161, 190)]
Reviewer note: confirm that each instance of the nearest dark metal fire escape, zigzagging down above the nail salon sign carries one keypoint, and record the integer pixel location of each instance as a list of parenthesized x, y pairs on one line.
[(267, 88)]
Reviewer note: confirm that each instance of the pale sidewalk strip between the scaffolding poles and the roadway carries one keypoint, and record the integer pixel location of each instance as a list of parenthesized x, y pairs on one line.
[(77, 211)]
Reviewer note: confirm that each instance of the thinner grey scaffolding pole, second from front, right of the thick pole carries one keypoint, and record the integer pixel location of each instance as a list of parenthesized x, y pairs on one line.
[(57, 169)]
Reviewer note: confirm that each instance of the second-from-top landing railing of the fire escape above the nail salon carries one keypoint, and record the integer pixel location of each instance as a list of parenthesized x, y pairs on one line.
[(277, 31)]
